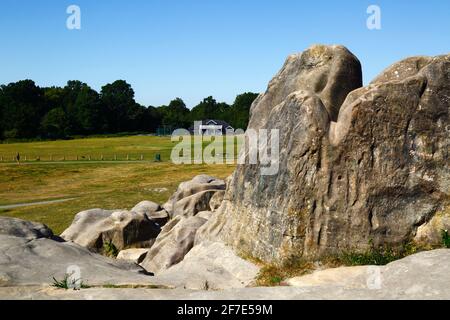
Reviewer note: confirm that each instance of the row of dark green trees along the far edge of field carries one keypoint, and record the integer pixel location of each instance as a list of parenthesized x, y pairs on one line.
[(29, 111)]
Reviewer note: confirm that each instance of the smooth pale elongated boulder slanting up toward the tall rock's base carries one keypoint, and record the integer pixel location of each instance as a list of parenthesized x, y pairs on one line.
[(173, 243)]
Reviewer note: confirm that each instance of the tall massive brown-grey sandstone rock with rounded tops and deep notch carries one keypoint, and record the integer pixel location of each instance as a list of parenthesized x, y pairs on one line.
[(359, 167)]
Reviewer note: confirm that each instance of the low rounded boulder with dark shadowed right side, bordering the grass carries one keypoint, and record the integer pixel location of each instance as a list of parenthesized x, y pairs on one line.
[(94, 228)]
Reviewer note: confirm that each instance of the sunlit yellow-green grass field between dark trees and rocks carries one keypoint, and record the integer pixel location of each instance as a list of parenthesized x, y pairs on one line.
[(108, 185)]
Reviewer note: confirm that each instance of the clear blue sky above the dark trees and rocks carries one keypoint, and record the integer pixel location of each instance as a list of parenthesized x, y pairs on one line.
[(196, 48)]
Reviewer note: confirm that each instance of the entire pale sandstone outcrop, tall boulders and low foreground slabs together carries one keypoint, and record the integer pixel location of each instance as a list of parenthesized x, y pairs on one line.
[(358, 167)]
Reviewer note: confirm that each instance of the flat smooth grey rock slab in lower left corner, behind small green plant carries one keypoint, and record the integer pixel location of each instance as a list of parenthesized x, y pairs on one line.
[(35, 260)]
